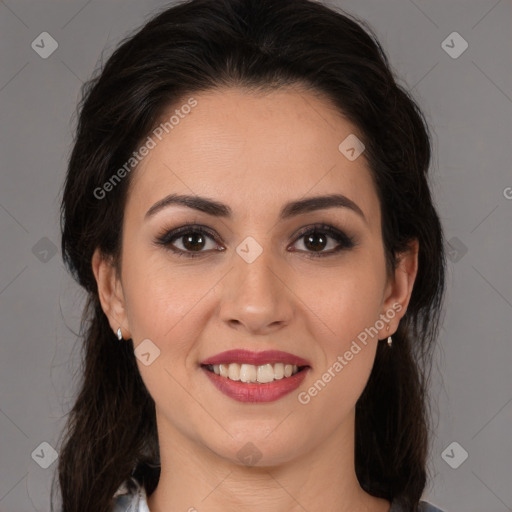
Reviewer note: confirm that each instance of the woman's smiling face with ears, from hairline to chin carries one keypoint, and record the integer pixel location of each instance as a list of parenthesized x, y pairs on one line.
[(251, 279)]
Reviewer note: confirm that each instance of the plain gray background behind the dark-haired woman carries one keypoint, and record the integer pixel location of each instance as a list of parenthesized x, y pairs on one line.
[(468, 103)]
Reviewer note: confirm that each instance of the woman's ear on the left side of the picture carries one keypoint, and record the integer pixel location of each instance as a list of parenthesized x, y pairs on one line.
[(110, 292)]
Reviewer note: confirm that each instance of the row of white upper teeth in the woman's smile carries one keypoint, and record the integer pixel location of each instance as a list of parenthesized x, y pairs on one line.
[(250, 373)]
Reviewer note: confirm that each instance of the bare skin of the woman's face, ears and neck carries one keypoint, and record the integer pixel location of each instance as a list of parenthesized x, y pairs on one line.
[(255, 152)]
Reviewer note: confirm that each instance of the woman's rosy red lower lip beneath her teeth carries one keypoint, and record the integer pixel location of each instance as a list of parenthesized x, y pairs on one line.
[(252, 392)]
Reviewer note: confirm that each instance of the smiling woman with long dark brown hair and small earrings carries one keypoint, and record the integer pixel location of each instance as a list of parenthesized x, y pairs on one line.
[(247, 206)]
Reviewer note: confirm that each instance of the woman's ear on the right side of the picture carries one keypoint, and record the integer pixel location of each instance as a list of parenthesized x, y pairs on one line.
[(399, 289)]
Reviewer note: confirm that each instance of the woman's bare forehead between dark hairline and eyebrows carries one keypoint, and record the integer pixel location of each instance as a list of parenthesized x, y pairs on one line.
[(253, 151)]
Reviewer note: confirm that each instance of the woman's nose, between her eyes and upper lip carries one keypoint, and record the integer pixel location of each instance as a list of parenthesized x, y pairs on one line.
[(256, 296)]
